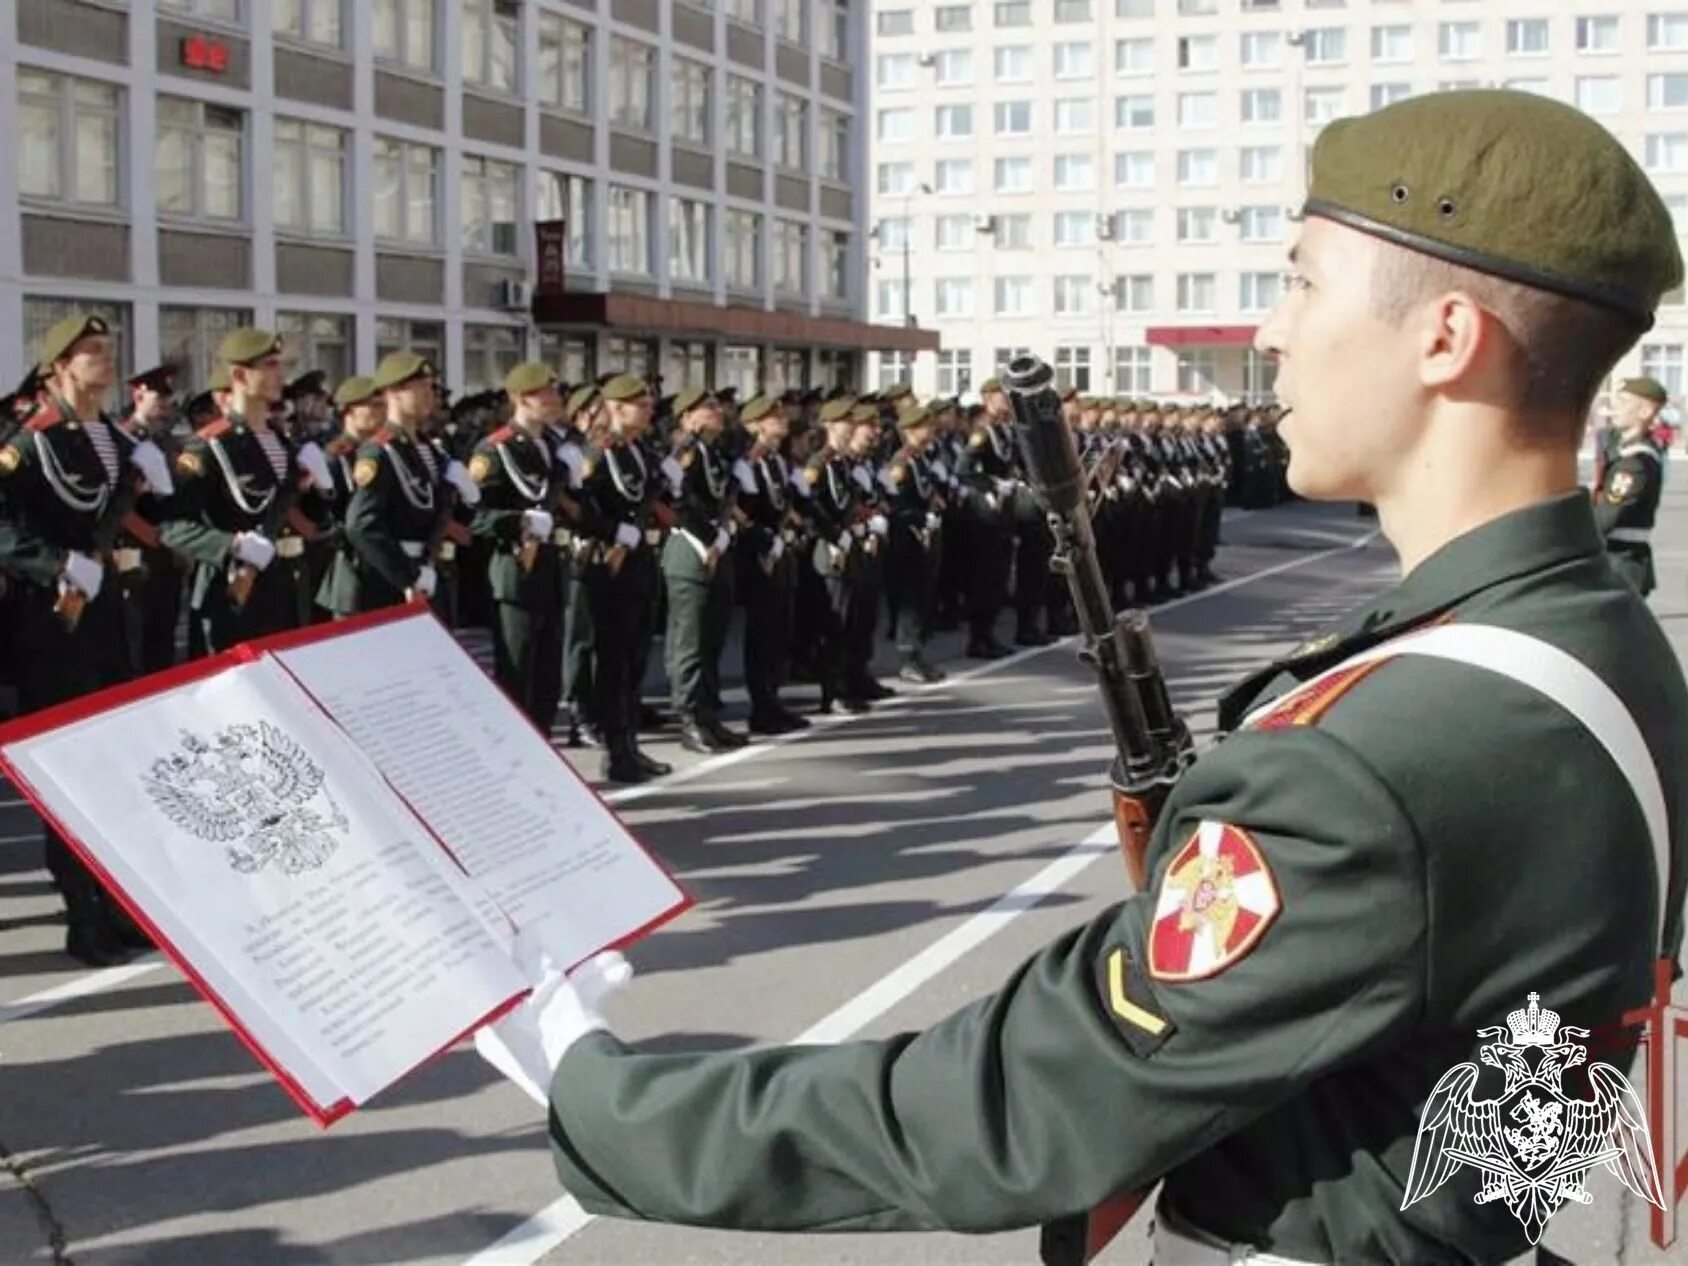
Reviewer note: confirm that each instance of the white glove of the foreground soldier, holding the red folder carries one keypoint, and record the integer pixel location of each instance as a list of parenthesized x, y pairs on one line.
[(531, 1041)]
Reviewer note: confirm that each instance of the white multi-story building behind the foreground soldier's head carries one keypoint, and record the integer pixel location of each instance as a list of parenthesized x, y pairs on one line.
[(1113, 183)]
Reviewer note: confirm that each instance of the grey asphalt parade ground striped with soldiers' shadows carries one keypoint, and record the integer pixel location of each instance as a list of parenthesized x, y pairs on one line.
[(857, 880)]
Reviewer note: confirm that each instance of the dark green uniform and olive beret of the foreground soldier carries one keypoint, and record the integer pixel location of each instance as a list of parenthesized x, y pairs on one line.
[(1341, 894)]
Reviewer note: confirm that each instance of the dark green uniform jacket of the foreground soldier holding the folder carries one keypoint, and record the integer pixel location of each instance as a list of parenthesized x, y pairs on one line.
[(1442, 843)]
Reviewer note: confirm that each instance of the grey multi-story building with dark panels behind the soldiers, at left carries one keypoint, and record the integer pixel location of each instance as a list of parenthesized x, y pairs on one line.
[(666, 187)]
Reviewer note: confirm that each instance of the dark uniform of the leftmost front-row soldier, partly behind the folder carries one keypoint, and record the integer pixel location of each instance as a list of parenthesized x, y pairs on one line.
[(65, 487)]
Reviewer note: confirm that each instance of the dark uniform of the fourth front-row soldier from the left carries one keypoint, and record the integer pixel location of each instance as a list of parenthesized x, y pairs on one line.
[(514, 473)]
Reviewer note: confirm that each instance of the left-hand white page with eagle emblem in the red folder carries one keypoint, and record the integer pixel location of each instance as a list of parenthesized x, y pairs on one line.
[(298, 885)]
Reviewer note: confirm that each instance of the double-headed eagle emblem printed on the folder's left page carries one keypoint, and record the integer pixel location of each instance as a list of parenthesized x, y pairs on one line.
[(252, 789)]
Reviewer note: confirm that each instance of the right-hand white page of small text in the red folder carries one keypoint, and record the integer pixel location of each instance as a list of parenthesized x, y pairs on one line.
[(521, 821)]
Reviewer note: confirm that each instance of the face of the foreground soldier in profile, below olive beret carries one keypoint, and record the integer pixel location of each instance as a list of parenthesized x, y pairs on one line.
[(1333, 350)]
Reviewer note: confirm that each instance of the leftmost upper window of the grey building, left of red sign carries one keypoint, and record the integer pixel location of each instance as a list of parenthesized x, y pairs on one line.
[(68, 139)]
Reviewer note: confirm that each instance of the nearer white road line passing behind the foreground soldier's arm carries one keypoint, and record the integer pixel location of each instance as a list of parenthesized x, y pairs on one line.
[(565, 1218)]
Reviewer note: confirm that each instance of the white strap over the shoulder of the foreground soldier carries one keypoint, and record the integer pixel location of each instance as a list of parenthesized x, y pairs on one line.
[(1571, 684)]
